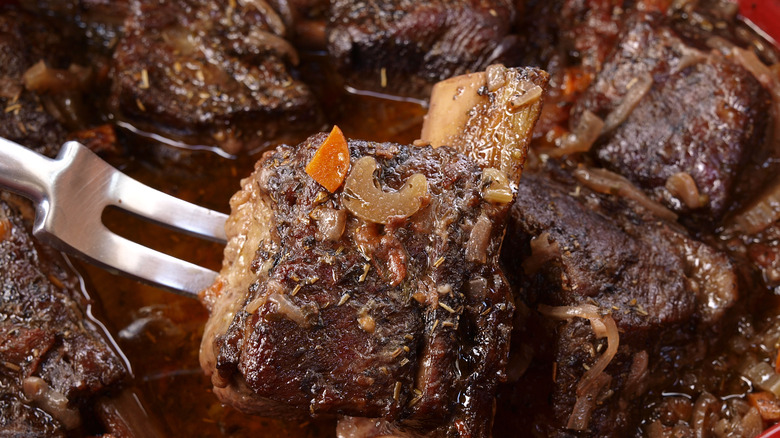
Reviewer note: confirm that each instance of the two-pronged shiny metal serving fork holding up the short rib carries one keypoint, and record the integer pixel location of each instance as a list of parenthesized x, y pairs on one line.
[(71, 192)]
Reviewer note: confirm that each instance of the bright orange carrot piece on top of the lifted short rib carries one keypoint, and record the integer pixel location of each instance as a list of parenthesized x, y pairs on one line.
[(330, 163)]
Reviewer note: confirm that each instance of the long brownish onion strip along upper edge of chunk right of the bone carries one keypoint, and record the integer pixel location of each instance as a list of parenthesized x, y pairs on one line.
[(604, 181)]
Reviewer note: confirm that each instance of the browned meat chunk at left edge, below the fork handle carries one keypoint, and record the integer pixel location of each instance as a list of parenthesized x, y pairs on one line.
[(53, 357)]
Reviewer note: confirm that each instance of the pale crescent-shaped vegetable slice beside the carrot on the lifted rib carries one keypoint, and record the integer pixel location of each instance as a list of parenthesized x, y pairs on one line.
[(367, 201)]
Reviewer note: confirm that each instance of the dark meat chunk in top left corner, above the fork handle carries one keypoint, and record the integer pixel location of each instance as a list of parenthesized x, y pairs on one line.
[(43, 82)]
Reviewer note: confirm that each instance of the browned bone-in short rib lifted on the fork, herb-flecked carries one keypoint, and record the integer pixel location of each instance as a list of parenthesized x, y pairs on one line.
[(383, 299)]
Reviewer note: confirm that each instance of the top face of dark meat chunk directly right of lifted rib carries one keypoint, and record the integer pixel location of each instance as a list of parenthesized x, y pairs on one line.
[(604, 251)]
